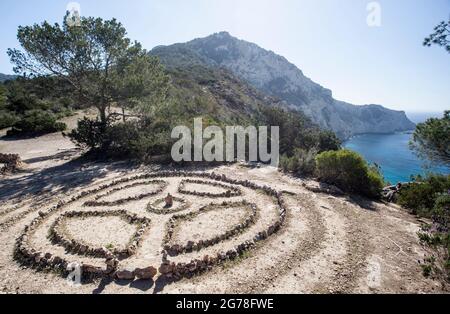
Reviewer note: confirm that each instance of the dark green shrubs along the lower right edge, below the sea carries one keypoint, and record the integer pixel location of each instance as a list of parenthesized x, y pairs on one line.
[(430, 197)]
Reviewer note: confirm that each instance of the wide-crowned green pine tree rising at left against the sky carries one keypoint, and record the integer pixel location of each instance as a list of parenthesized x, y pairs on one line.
[(100, 66)]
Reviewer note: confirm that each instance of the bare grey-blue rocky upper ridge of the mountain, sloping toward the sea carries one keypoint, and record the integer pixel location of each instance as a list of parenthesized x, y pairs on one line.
[(275, 76)]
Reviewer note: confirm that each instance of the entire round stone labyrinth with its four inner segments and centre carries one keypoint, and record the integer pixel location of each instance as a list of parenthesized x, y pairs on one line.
[(126, 229)]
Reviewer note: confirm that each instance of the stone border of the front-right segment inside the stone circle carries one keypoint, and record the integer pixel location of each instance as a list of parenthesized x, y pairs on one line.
[(174, 222)]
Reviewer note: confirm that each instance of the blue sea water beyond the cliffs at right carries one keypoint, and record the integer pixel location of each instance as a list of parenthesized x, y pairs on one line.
[(392, 153)]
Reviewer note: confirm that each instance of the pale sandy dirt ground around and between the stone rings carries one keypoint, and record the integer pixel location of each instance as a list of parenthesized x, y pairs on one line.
[(328, 244)]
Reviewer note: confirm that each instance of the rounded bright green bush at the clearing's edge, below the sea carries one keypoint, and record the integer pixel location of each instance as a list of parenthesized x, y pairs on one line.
[(350, 172)]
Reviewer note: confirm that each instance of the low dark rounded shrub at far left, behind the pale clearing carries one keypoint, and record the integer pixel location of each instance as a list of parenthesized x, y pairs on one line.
[(36, 122)]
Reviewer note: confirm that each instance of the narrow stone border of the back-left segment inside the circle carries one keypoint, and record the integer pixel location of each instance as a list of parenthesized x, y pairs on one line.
[(96, 203)]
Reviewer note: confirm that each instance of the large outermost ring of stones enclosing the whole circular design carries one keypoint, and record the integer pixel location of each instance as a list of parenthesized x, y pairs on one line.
[(27, 255)]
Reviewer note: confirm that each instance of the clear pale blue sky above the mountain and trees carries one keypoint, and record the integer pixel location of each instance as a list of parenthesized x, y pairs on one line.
[(328, 39)]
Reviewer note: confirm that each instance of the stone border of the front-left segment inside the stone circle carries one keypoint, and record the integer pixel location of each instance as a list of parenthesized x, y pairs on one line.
[(61, 238)]
